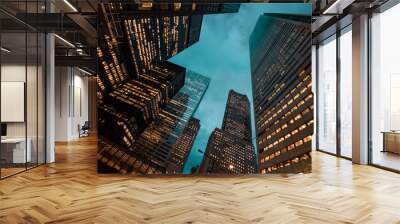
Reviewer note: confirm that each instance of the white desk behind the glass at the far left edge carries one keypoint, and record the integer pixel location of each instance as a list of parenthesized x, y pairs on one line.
[(13, 150)]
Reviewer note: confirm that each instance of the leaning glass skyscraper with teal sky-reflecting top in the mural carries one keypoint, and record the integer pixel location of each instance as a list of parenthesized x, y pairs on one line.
[(159, 142)]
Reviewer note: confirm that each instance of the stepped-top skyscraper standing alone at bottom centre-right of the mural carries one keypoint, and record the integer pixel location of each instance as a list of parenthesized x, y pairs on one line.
[(230, 150)]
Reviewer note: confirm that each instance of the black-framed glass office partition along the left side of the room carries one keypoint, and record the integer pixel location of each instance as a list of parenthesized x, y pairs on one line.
[(22, 88)]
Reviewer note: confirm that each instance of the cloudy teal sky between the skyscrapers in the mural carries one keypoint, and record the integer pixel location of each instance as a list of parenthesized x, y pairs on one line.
[(223, 55)]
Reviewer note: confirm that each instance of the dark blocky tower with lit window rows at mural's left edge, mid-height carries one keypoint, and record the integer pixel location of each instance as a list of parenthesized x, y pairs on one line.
[(140, 101)]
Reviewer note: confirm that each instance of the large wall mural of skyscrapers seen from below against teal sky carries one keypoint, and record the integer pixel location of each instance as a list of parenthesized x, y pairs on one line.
[(204, 88)]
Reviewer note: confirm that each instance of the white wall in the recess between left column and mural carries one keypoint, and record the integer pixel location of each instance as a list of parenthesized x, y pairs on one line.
[(71, 102)]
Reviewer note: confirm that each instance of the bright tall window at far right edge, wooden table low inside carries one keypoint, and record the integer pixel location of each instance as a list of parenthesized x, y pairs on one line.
[(385, 89)]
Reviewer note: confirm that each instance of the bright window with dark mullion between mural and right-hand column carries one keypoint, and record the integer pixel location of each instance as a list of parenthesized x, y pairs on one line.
[(334, 94)]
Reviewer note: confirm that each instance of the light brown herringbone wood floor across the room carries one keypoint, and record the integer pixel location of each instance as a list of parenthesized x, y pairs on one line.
[(70, 191)]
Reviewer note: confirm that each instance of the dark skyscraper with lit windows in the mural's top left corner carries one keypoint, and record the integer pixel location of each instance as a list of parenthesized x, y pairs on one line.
[(154, 32)]
